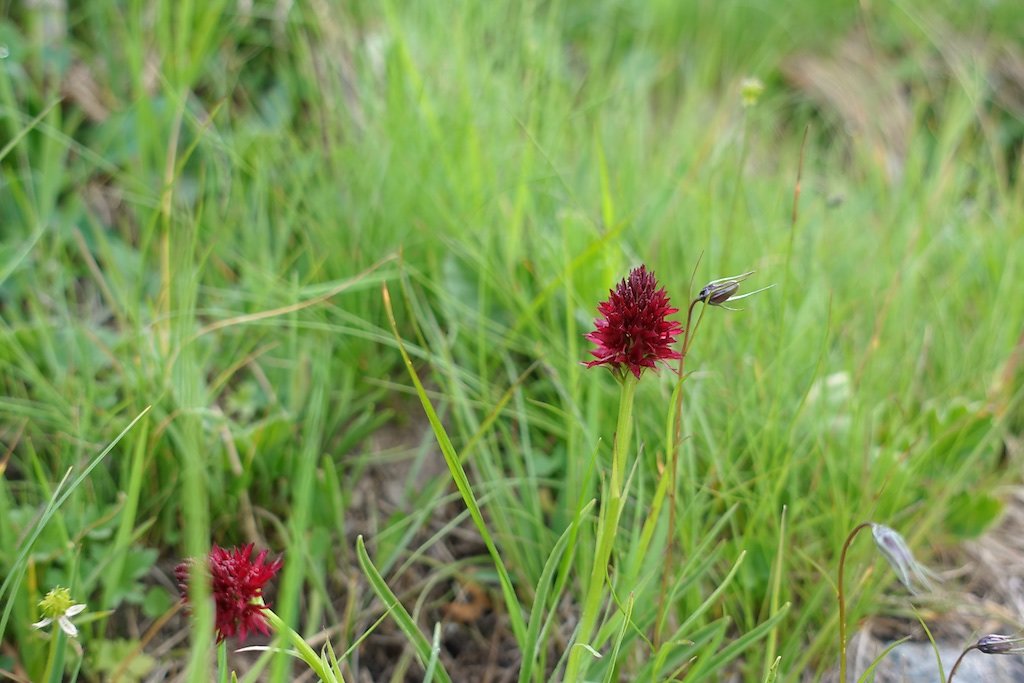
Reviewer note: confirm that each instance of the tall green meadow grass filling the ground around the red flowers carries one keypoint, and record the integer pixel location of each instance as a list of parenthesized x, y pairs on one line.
[(214, 239)]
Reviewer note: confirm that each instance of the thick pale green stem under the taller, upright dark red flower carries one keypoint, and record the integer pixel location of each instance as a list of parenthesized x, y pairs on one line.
[(607, 528)]
